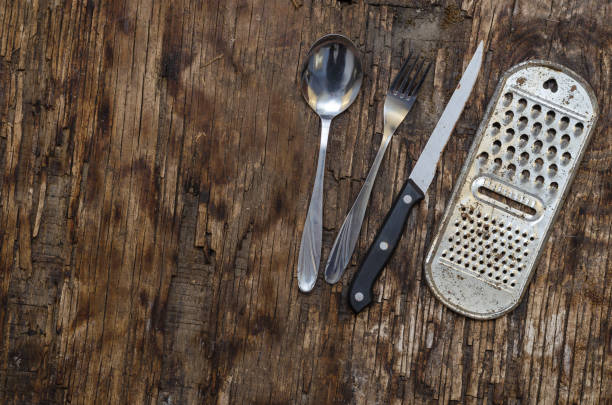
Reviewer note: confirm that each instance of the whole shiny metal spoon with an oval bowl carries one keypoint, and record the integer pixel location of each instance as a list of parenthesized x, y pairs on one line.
[(331, 79)]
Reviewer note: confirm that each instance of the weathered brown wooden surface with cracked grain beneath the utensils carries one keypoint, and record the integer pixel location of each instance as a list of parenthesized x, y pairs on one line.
[(157, 159)]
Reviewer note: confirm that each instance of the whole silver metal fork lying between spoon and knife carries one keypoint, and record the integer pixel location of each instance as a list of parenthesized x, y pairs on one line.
[(398, 102)]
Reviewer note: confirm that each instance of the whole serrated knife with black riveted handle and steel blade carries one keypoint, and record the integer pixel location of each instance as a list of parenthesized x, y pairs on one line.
[(413, 191)]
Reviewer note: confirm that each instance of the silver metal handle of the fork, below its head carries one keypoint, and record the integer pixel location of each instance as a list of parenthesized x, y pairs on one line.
[(345, 242)]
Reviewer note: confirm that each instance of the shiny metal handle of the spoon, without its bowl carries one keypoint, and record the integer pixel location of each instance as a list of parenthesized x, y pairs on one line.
[(310, 247)]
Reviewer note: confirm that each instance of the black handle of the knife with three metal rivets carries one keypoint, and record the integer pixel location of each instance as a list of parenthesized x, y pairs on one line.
[(379, 253)]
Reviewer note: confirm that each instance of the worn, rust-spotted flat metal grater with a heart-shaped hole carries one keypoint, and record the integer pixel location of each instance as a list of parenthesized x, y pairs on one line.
[(511, 188)]
